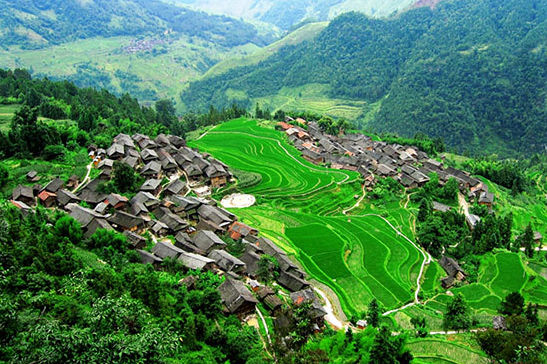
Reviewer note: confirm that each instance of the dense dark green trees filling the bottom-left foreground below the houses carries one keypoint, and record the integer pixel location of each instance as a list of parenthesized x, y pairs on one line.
[(69, 299)]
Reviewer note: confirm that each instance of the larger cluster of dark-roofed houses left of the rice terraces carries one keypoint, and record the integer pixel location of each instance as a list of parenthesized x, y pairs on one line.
[(189, 229)]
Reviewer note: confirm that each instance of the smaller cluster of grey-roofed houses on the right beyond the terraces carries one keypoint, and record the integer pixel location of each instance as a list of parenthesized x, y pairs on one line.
[(357, 152)]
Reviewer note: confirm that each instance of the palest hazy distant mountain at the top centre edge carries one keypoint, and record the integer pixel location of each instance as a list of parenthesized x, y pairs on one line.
[(287, 13)]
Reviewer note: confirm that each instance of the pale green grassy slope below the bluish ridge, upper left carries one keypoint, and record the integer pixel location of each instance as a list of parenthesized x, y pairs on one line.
[(164, 73)]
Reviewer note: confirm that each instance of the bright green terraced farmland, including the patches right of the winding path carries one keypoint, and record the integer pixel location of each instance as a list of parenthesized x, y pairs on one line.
[(359, 256)]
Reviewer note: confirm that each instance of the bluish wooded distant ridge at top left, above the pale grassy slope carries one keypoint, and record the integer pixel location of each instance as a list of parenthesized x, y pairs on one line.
[(32, 24)]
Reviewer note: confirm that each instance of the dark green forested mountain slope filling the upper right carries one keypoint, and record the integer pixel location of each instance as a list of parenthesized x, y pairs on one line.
[(472, 72)]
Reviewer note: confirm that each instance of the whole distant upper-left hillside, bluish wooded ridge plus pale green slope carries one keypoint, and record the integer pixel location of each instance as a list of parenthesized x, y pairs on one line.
[(146, 48)]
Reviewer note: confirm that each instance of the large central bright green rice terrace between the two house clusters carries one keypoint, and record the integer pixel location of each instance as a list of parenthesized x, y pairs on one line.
[(358, 257)]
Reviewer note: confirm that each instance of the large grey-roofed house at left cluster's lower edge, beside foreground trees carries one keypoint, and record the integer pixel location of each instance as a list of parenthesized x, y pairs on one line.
[(237, 298)]
